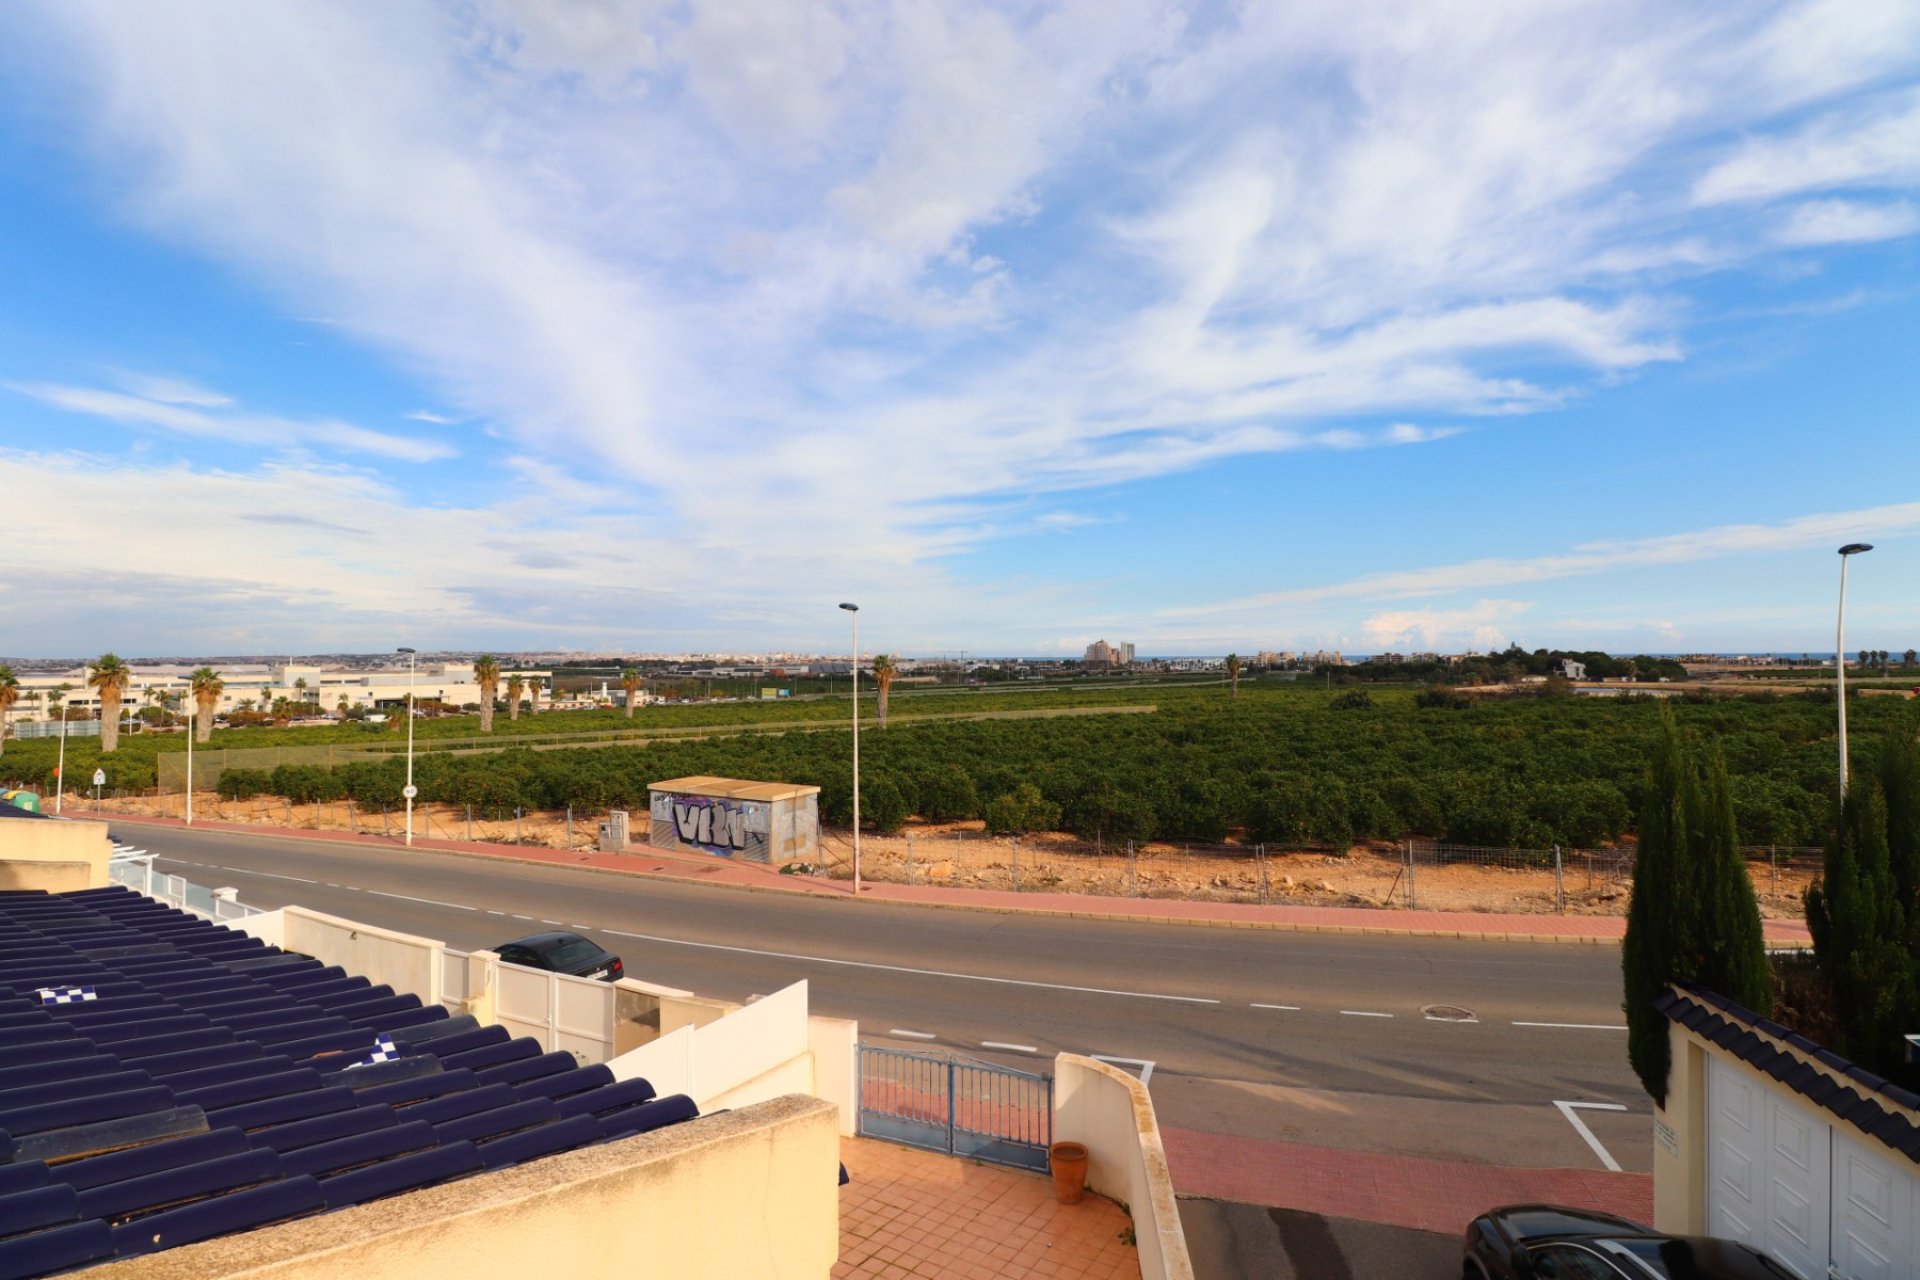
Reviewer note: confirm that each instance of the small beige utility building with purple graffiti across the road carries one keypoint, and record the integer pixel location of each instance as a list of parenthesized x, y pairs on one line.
[(732, 818)]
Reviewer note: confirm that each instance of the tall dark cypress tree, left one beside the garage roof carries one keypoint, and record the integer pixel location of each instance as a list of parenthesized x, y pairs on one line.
[(1692, 913)]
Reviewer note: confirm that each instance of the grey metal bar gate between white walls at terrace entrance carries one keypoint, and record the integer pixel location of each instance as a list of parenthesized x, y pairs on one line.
[(957, 1104)]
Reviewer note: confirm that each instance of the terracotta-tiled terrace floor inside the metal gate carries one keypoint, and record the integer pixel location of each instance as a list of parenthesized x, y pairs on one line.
[(919, 1214)]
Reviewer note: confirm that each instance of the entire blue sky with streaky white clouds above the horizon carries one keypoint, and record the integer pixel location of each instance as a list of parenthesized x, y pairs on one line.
[(665, 327)]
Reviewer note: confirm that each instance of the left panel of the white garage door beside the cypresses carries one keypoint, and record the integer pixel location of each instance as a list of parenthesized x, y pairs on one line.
[(1767, 1172)]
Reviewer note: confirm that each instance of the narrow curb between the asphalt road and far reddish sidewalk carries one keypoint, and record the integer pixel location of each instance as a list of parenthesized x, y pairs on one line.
[(823, 895)]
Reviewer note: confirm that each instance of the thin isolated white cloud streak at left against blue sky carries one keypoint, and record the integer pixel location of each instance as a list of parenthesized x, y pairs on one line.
[(247, 429)]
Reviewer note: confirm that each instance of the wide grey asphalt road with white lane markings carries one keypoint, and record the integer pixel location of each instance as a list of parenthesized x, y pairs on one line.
[(1326, 1039)]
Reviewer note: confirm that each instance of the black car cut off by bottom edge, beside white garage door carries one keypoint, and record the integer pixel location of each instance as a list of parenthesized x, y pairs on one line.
[(1547, 1243)]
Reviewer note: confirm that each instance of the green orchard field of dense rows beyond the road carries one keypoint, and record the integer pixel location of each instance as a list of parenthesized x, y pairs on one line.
[(1282, 763)]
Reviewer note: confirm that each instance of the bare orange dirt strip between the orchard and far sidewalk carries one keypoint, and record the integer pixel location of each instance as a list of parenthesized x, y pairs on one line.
[(967, 857)]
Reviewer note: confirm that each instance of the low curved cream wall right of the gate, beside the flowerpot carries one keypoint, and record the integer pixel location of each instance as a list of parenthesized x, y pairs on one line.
[(1113, 1116)]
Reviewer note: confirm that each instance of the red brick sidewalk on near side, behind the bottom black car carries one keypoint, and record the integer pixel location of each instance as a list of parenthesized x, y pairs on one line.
[(1401, 1191)]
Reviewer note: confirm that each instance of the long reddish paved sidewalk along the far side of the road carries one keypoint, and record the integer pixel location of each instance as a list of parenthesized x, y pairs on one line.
[(704, 870)]
